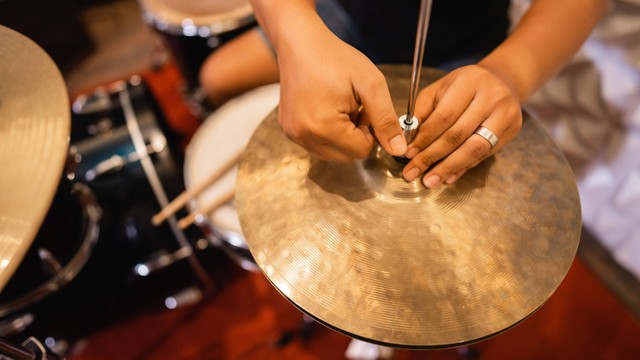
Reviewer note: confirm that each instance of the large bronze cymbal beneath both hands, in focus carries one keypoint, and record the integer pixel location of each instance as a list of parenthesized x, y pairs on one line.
[(378, 258)]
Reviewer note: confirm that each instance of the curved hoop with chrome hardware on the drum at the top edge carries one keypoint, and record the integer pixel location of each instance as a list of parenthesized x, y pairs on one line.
[(166, 20)]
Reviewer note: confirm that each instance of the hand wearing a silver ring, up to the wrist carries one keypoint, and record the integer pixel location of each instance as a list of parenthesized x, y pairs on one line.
[(449, 111)]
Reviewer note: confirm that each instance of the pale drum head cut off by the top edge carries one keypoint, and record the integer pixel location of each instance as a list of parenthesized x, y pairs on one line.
[(219, 15)]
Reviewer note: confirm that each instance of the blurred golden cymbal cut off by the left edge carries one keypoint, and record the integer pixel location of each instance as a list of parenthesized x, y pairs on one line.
[(35, 124)]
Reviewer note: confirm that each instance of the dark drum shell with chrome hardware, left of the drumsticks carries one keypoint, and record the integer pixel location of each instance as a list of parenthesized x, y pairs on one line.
[(106, 159)]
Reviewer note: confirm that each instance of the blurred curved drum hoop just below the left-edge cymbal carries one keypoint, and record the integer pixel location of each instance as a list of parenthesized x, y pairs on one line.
[(91, 214)]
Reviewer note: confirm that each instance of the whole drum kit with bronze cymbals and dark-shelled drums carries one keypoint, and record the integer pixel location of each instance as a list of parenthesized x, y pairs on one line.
[(353, 246)]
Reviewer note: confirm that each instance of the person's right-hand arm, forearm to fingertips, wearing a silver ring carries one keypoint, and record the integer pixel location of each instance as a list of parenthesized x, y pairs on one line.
[(490, 93)]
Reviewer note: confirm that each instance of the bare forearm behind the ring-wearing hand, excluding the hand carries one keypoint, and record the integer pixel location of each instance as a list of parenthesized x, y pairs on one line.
[(546, 38)]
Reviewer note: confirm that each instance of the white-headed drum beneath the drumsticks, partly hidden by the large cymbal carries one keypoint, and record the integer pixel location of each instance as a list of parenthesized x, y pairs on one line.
[(222, 136)]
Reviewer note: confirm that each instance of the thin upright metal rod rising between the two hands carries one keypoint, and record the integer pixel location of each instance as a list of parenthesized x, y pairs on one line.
[(409, 122)]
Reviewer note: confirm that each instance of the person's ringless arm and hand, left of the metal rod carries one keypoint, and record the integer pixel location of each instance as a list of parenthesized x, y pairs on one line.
[(330, 92)]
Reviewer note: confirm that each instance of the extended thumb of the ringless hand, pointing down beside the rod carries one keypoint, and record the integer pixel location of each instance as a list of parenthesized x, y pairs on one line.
[(378, 110)]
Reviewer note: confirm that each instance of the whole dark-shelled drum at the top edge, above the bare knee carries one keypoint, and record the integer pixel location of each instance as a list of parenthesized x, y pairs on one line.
[(192, 29)]
